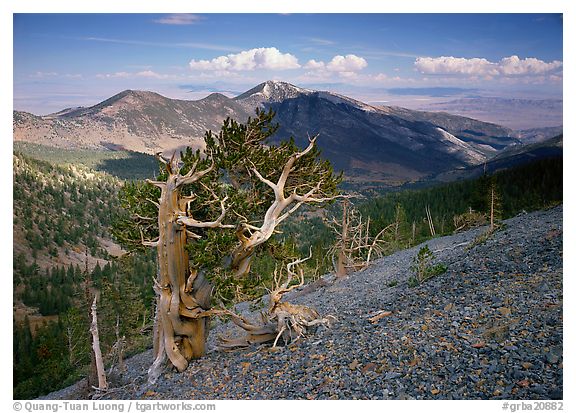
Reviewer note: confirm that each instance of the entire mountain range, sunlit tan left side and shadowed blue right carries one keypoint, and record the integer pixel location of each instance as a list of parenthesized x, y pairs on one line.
[(389, 145)]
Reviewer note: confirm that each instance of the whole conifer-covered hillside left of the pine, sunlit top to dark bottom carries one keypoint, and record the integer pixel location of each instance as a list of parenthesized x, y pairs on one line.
[(62, 250)]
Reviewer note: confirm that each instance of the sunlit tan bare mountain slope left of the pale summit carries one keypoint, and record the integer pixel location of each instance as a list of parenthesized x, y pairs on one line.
[(134, 120)]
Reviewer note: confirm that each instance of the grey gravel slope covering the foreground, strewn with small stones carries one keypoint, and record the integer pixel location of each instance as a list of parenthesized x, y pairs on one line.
[(488, 328)]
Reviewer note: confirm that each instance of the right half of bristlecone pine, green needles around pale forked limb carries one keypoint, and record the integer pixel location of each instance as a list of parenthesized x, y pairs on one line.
[(269, 182)]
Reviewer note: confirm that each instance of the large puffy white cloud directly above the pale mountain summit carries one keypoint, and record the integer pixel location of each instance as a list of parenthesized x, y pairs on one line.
[(260, 58)]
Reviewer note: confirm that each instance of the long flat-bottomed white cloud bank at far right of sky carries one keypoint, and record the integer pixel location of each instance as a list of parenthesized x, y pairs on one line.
[(508, 66)]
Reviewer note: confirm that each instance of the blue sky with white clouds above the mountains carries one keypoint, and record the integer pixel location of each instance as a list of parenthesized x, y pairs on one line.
[(64, 60)]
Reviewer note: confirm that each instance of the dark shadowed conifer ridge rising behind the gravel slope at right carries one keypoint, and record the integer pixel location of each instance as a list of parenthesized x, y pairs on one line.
[(530, 187)]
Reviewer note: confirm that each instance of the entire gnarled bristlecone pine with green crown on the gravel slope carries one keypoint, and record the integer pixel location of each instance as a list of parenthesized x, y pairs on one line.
[(206, 213)]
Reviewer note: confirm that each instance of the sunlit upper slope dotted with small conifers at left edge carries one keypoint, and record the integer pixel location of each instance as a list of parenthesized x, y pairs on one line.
[(59, 210)]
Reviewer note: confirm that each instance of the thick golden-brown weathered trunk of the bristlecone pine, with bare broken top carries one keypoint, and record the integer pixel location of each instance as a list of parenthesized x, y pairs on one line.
[(180, 327)]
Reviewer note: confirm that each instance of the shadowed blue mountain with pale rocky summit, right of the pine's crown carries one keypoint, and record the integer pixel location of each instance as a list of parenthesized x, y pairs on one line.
[(378, 143)]
